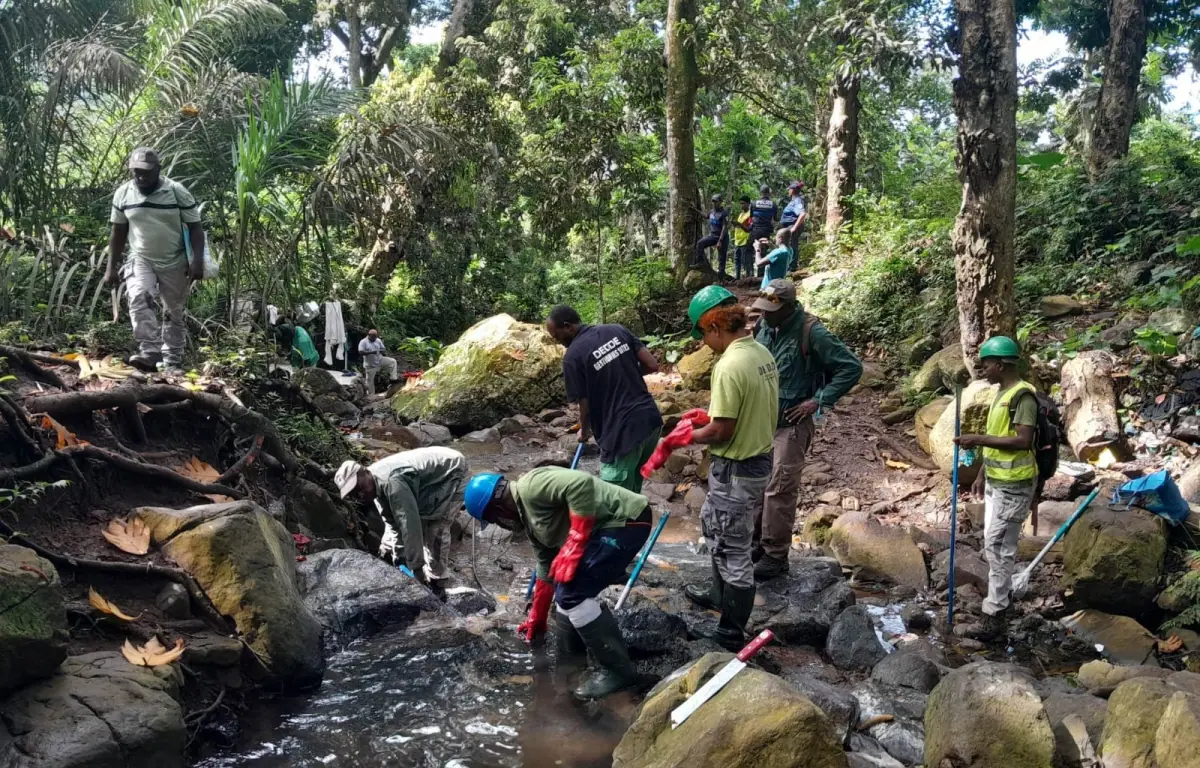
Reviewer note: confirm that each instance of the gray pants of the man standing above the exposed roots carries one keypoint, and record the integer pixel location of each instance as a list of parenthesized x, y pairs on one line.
[(143, 283)]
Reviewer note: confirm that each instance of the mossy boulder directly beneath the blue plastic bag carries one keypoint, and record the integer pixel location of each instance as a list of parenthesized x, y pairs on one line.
[(1113, 560)]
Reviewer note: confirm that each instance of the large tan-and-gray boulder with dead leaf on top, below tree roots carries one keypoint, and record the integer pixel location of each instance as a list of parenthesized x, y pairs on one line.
[(245, 562)]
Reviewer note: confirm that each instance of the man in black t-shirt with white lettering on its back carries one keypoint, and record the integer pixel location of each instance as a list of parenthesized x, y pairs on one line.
[(603, 369)]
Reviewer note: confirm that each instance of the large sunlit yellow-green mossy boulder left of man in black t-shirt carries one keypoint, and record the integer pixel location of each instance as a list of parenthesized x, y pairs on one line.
[(500, 368)]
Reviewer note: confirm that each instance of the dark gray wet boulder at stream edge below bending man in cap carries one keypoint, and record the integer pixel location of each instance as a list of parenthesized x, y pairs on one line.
[(353, 593)]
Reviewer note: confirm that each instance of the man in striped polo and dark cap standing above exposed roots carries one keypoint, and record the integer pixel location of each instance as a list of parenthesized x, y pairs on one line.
[(152, 214)]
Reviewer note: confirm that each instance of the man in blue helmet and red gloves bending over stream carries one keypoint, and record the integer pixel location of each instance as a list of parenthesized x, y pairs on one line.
[(585, 533)]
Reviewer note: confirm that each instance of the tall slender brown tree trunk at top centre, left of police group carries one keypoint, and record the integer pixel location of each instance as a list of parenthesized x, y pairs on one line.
[(683, 80)]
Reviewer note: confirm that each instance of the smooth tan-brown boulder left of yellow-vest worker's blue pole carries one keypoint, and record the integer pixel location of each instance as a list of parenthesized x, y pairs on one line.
[(878, 553)]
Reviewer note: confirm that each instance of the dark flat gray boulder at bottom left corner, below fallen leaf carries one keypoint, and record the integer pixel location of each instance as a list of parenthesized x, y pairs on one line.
[(99, 712)]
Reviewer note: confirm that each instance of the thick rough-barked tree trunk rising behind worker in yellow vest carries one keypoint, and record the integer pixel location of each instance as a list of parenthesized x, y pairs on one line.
[(986, 105)]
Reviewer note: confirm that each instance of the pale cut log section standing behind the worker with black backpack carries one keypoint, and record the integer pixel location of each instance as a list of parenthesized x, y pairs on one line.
[(1090, 405)]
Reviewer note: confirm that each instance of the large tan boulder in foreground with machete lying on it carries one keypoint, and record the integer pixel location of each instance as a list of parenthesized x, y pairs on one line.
[(757, 722)]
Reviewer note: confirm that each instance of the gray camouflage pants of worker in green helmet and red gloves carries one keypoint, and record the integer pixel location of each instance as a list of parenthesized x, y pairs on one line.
[(735, 501)]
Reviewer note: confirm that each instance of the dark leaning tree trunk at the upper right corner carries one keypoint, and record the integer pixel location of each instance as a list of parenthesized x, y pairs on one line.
[(1118, 105)]
